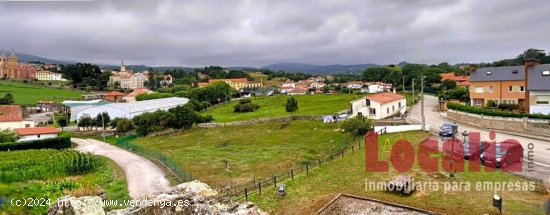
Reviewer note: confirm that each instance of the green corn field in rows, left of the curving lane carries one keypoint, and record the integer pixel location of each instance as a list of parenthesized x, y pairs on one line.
[(19, 166)]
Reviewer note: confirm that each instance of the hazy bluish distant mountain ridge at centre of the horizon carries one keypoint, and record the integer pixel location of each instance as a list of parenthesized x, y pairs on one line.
[(316, 69)]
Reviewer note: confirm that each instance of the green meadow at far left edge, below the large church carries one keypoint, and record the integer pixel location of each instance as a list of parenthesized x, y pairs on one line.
[(27, 94)]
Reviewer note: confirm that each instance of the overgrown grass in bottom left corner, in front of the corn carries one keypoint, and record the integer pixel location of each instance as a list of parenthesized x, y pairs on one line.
[(107, 178)]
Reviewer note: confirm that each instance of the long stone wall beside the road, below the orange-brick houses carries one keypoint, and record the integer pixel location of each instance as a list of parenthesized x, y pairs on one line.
[(519, 125)]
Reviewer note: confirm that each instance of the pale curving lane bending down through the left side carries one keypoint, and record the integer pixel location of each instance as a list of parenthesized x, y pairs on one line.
[(142, 176)]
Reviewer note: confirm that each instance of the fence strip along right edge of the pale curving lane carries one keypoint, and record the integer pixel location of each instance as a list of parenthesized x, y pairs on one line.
[(125, 143)]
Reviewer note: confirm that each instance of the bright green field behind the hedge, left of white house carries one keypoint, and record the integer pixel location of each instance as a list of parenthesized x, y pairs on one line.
[(274, 106)]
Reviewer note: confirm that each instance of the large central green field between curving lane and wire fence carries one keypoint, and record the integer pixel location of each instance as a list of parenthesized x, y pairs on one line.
[(251, 151)]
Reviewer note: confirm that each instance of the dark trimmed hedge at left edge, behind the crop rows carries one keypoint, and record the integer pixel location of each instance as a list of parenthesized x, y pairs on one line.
[(60, 142)]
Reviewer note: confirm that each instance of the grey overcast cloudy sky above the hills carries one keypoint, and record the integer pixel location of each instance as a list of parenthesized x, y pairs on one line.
[(261, 32)]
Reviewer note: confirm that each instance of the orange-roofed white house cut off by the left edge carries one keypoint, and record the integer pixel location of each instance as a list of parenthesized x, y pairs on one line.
[(12, 117)]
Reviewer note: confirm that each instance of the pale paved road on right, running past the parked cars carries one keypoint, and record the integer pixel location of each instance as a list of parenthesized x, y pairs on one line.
[(541, 150)]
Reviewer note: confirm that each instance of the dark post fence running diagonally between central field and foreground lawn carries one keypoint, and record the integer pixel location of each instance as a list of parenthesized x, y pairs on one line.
[(257, 186)]
